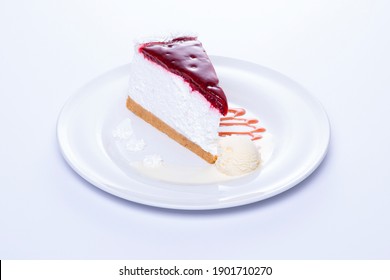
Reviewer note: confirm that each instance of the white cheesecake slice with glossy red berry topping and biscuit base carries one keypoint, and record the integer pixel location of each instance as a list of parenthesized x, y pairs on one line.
[(174, 87)]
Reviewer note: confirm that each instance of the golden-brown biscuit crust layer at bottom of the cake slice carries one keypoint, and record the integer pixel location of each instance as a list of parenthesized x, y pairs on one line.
[(172, 133)]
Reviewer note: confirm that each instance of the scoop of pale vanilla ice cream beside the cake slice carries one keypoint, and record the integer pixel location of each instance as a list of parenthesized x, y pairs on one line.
[(237, 155)]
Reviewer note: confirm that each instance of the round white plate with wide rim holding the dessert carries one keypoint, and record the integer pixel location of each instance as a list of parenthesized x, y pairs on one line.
[(296, 120)]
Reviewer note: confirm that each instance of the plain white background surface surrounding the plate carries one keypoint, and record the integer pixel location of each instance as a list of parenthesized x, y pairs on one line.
[(339, 50)]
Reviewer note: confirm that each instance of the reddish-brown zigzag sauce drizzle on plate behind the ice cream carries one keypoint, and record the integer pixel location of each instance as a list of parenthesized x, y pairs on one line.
[(235, 118)]
